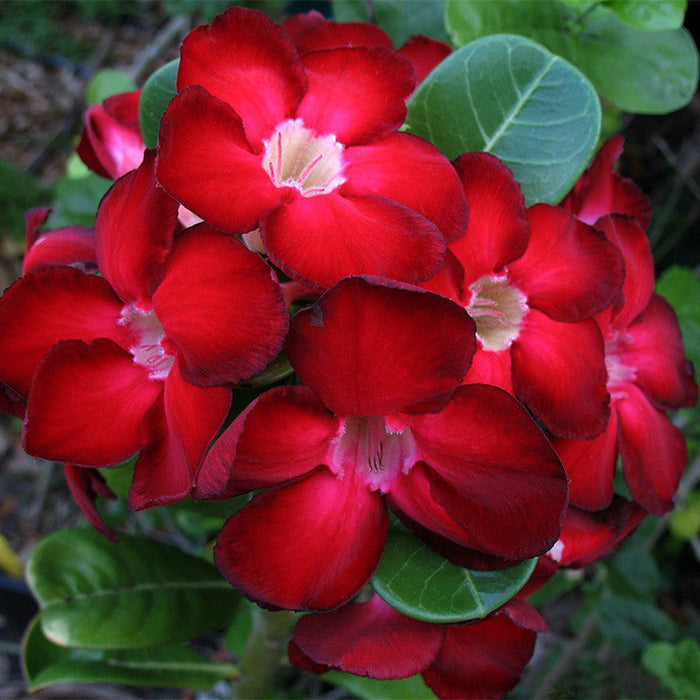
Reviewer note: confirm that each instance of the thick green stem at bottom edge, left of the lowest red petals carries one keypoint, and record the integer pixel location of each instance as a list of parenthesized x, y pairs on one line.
[(266, 647)]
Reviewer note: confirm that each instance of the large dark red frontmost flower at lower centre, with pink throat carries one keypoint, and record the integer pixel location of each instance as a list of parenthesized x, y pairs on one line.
[(381, 419)]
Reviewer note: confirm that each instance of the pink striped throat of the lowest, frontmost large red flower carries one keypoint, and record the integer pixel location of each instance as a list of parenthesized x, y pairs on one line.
[(367, 445)]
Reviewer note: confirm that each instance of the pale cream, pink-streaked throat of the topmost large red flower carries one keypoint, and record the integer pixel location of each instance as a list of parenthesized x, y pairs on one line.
[(297, 157)]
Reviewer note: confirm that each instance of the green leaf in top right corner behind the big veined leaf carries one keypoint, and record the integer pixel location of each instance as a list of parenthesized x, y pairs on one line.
[(644, 72)]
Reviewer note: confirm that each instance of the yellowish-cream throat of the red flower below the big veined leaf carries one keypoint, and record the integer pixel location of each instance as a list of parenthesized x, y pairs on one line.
[(498, 310)]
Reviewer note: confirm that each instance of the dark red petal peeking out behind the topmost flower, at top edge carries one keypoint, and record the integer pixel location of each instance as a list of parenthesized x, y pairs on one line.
[(311, 31)]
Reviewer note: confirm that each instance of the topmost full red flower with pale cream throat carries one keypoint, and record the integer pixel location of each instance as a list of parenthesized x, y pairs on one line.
[(307, 149)]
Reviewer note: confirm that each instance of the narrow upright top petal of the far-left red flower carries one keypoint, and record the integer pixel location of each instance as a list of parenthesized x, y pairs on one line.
[(134, 230)]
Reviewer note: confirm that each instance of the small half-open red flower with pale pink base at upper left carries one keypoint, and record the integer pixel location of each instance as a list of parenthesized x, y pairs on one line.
[(111, 143)]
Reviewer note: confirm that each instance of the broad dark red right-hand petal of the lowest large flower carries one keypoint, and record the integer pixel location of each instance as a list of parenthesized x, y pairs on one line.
[(494, 472)]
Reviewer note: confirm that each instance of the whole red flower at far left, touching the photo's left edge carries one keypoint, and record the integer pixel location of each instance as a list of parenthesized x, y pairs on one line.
[(127, 361)]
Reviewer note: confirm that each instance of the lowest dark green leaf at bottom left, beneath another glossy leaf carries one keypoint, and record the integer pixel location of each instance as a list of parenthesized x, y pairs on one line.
[(173, 666)]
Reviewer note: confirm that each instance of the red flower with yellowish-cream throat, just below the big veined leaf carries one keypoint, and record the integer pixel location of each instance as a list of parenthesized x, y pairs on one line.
[(532, 280)]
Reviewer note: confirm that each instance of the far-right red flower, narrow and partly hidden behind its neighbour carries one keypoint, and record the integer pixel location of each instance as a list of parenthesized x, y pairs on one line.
[(648, 375)]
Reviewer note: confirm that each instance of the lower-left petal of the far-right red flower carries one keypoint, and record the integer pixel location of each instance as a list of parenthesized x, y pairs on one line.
[(590, 465)]
